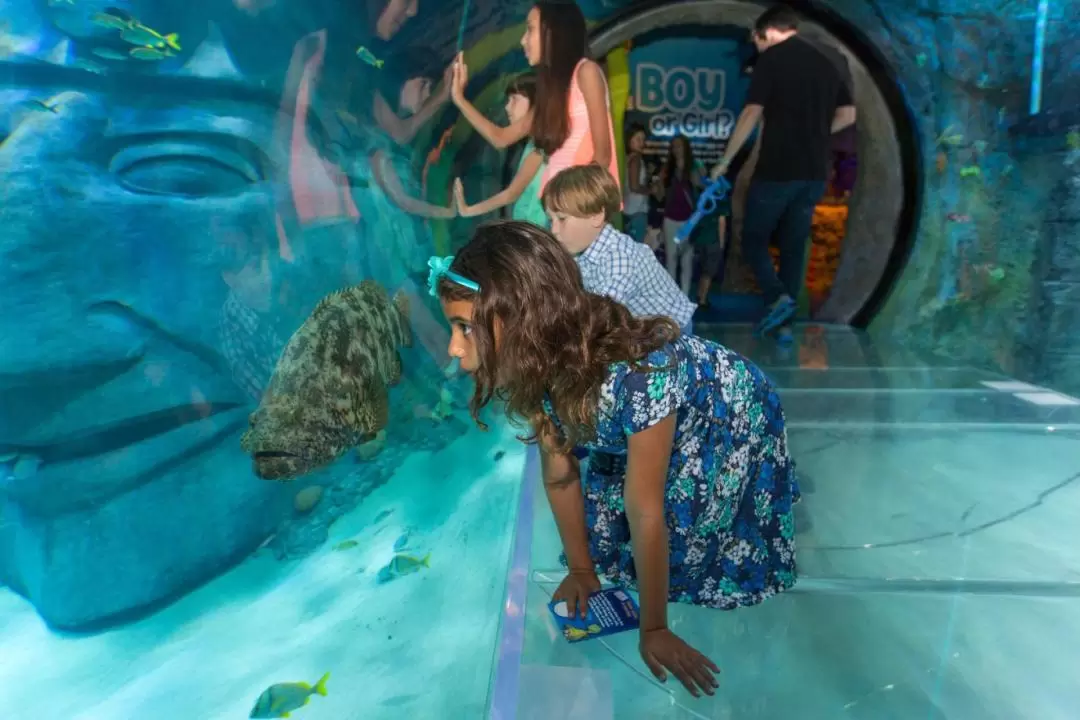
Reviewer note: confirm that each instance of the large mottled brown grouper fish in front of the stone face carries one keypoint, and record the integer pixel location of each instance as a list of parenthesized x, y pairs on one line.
[(330, 390)]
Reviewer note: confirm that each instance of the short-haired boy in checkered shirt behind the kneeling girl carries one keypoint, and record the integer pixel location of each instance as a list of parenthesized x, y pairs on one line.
[(582, 202)]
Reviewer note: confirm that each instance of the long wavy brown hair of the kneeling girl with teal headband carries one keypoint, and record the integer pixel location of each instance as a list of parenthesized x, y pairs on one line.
[(539, 333)]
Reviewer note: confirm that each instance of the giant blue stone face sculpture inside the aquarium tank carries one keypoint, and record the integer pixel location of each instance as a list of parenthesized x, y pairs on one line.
[(145, 298)]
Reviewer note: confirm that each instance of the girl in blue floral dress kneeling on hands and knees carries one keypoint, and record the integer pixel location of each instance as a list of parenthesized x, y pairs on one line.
[(688, 492)]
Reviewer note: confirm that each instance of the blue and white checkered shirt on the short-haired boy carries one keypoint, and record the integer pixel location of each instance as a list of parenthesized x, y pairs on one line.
[(628, 273)]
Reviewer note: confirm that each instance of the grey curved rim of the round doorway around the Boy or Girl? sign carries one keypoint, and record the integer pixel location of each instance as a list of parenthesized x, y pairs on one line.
[(883, 206)]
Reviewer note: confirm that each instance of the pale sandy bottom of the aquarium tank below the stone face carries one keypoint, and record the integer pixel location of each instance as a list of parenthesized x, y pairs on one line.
[(421, 646)]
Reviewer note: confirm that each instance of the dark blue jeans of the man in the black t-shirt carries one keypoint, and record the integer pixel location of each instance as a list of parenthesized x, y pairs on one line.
[(785, 212)]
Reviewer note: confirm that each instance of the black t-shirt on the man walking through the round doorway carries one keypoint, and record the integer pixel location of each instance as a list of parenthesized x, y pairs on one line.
[(801, 87)]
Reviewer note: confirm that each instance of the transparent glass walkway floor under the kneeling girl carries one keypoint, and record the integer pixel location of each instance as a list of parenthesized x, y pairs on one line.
[(939, 565)]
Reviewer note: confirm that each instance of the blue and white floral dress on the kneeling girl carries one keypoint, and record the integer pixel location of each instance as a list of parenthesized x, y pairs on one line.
[(731, 483)]
